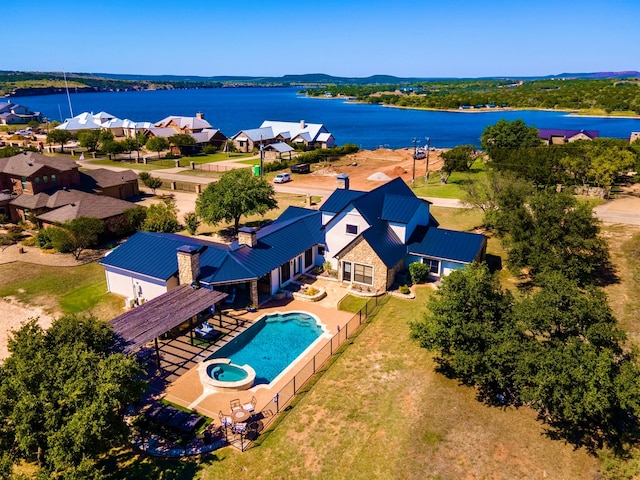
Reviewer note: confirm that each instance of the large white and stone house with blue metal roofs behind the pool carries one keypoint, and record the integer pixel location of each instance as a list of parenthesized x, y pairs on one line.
[(367, 237)]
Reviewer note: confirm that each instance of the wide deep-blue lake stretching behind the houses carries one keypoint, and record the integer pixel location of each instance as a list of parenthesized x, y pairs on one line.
[(368, 126)]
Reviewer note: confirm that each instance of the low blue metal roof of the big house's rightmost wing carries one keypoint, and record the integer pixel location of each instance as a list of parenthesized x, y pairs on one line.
[(446, 244)]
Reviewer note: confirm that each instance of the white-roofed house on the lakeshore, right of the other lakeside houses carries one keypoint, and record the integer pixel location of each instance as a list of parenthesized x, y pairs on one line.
[(312, 135)]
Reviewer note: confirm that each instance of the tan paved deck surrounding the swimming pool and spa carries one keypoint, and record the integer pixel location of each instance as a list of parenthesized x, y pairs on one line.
[(188, 391)]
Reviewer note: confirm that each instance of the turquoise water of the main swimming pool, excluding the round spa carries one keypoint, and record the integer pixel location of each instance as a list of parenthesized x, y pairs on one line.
[(272, 344)]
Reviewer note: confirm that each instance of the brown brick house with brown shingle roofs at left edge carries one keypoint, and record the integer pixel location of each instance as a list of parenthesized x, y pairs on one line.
[(39, 184)]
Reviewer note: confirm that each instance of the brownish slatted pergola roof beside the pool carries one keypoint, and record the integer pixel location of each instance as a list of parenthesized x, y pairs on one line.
[(150, 320)]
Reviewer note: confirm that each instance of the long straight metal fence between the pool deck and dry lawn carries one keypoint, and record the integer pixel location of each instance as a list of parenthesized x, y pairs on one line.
[(286, 394)]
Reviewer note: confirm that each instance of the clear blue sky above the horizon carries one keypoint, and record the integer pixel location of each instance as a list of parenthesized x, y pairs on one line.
[(423, 38)]
